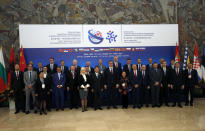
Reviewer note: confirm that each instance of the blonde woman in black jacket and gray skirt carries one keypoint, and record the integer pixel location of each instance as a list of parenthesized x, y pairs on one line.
[(84, 84)]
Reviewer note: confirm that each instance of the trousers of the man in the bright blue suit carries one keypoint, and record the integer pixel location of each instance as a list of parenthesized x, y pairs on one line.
[(59, 97)]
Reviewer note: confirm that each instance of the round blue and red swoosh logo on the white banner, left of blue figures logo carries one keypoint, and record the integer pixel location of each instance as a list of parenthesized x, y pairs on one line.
[(95, 37)]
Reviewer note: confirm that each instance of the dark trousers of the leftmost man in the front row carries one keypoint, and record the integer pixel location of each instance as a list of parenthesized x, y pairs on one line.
[(19, 101)]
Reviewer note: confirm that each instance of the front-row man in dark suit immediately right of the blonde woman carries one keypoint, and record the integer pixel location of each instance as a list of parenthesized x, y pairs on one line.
[(97, 87)]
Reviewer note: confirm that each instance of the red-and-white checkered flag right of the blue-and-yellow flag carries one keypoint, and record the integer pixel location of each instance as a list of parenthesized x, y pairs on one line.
[(196, 64)]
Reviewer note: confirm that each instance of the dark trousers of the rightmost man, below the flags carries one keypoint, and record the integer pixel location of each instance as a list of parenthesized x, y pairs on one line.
[(187, 90)]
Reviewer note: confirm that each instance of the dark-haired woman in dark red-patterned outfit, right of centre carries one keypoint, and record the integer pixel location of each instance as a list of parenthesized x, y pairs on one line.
[(124, 89)]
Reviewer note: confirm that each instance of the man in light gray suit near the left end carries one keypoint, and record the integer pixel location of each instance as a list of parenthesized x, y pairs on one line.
[(30, 78)]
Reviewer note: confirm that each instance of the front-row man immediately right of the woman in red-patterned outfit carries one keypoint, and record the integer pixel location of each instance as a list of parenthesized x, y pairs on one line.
[(135, 79)]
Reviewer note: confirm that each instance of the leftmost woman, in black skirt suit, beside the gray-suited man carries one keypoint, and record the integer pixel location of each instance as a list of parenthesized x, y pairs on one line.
[(42, 89)]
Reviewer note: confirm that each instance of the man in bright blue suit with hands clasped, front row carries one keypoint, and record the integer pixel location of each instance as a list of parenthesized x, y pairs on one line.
[(59, 85)]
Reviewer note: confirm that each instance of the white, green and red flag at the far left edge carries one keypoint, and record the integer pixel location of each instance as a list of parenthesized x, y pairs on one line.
[(3, 74)]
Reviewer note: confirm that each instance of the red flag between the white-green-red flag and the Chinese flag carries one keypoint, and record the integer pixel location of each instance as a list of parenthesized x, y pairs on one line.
[(11, 65)]
